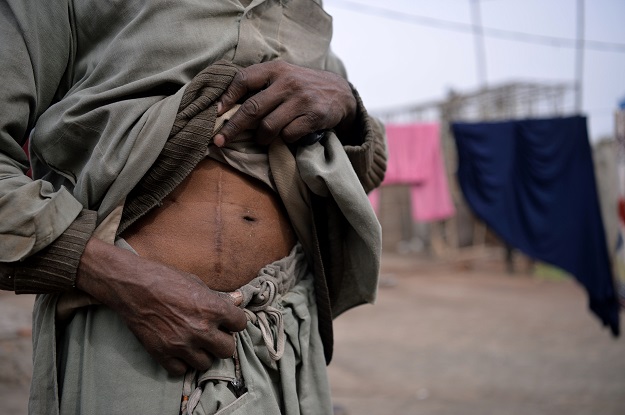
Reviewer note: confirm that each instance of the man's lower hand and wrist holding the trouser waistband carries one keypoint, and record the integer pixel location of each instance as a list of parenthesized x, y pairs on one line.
[(179, 320)]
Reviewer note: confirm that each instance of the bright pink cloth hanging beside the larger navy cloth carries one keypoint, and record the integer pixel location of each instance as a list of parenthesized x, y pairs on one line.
[(415, 158)]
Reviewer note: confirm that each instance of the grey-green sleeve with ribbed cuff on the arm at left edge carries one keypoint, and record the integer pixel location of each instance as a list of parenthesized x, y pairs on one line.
[(36, 219)]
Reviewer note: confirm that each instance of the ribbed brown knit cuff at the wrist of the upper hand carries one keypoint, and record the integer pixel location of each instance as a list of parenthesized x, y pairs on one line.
[(369, 157)]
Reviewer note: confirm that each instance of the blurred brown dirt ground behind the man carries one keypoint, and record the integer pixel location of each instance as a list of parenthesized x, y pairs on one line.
[(443, 339)]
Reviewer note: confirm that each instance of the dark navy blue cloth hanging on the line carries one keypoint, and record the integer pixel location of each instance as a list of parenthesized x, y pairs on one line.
[(532, 181)]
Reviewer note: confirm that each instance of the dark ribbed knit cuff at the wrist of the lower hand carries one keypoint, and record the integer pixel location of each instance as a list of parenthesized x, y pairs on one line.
[(54, 268)]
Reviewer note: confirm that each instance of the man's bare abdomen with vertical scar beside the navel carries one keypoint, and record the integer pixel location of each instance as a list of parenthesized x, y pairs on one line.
[(218, 224)]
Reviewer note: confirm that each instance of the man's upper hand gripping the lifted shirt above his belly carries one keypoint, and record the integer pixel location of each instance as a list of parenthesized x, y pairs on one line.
[(287, 101)]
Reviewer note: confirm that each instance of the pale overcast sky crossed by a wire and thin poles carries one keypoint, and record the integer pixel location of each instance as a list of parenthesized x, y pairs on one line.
[(393, 61)]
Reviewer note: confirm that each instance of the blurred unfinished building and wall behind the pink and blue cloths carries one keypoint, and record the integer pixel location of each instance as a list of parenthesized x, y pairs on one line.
[(512, 100)]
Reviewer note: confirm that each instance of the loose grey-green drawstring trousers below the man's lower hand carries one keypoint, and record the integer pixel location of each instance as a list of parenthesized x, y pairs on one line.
[(104, 370)]
